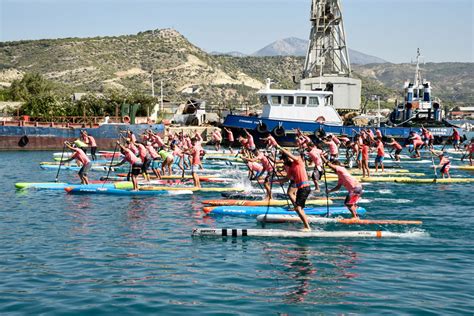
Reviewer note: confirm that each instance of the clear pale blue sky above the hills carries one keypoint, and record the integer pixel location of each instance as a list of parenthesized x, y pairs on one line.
[(389, 29)]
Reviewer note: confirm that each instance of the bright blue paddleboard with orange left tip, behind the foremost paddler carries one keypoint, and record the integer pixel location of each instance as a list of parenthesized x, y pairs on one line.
[(262, 210)]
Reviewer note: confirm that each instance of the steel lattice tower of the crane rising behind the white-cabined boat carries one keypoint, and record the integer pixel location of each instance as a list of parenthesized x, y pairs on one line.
[(327, 52)]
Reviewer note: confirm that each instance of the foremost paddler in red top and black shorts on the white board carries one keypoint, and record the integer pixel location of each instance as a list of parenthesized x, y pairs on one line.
[(297, 172)]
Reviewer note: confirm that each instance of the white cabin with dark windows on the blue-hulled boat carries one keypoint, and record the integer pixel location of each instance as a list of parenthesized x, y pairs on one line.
[(298, 105)]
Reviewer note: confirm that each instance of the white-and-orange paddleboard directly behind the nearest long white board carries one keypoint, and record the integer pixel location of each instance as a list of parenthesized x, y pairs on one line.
[(326, 220)]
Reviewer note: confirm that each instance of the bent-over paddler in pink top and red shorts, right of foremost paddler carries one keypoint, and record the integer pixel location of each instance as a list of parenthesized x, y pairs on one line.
[(351, 184)]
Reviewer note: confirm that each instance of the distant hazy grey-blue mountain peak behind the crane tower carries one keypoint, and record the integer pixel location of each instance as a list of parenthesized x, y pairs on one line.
[(293, 46)]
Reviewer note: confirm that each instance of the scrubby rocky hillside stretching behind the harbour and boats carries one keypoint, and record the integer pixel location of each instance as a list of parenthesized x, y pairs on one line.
[(126, 62)]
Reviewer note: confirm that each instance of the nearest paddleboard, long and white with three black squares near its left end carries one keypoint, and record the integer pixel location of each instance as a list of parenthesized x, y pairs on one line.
[(280, 233)]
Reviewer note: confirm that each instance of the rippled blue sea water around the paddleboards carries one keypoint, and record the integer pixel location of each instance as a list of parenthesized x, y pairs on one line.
[(63, 254)]
